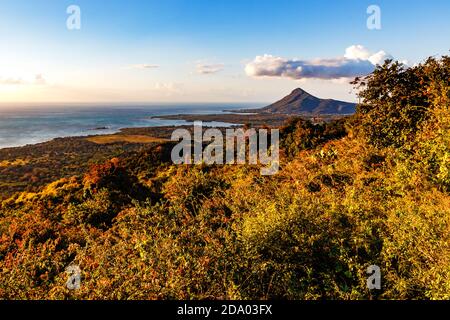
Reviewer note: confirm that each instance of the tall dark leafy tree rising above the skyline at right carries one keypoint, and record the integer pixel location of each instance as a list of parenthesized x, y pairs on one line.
[(395, 99)]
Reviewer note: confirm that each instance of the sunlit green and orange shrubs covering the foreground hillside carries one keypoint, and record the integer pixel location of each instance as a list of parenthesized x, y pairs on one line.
[(373, 189)]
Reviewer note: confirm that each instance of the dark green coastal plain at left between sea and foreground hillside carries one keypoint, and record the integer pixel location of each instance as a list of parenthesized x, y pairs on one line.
[(32, 167)]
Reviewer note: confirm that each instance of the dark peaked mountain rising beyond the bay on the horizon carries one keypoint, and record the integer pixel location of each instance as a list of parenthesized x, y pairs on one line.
[(300, 101)]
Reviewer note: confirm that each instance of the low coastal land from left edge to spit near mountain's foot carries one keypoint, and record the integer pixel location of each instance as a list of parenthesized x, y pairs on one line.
[(32, 166)]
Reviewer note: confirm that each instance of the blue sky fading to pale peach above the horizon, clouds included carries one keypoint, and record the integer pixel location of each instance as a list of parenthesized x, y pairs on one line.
[(151, 51)]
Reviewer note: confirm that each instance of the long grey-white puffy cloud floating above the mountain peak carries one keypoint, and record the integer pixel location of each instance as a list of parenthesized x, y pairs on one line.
[(357, 61)]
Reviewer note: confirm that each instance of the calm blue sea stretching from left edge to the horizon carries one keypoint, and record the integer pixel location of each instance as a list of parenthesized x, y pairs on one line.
[(28, 125)]
